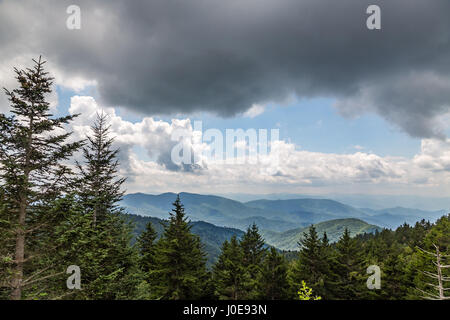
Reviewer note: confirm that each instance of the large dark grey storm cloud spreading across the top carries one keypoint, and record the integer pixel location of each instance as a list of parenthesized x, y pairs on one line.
[(167, 56)]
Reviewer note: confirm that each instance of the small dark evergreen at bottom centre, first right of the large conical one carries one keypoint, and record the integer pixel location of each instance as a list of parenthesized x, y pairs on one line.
[(229, 273)]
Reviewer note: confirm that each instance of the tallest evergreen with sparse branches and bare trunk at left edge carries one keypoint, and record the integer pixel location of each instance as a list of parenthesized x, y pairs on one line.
[(33, 145)]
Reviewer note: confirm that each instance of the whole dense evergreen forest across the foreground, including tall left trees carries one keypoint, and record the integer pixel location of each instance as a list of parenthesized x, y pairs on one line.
[(55, 214)]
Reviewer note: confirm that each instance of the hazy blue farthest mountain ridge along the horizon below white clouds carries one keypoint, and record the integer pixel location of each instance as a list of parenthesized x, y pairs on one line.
[(274, 215)]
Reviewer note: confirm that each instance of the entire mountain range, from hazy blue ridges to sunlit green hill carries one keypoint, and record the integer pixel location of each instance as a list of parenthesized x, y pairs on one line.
[(281, 222)]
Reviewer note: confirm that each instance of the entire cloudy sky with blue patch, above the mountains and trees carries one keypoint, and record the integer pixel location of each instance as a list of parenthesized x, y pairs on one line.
[(358, 110)]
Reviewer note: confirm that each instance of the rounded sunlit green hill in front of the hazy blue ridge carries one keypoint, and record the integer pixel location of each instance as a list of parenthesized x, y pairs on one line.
[(288, 240)]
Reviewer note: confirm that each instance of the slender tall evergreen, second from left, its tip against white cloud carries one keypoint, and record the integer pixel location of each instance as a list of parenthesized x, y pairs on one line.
[(108, 261)]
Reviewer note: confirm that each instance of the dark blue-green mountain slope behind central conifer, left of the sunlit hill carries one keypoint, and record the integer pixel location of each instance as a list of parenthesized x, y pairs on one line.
[(210, 235)]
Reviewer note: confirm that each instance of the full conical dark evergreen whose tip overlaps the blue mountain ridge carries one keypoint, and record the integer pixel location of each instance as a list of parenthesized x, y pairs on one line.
[(180, 271)]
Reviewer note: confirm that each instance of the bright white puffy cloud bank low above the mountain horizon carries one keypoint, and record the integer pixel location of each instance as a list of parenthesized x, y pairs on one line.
[(146, 148)]
